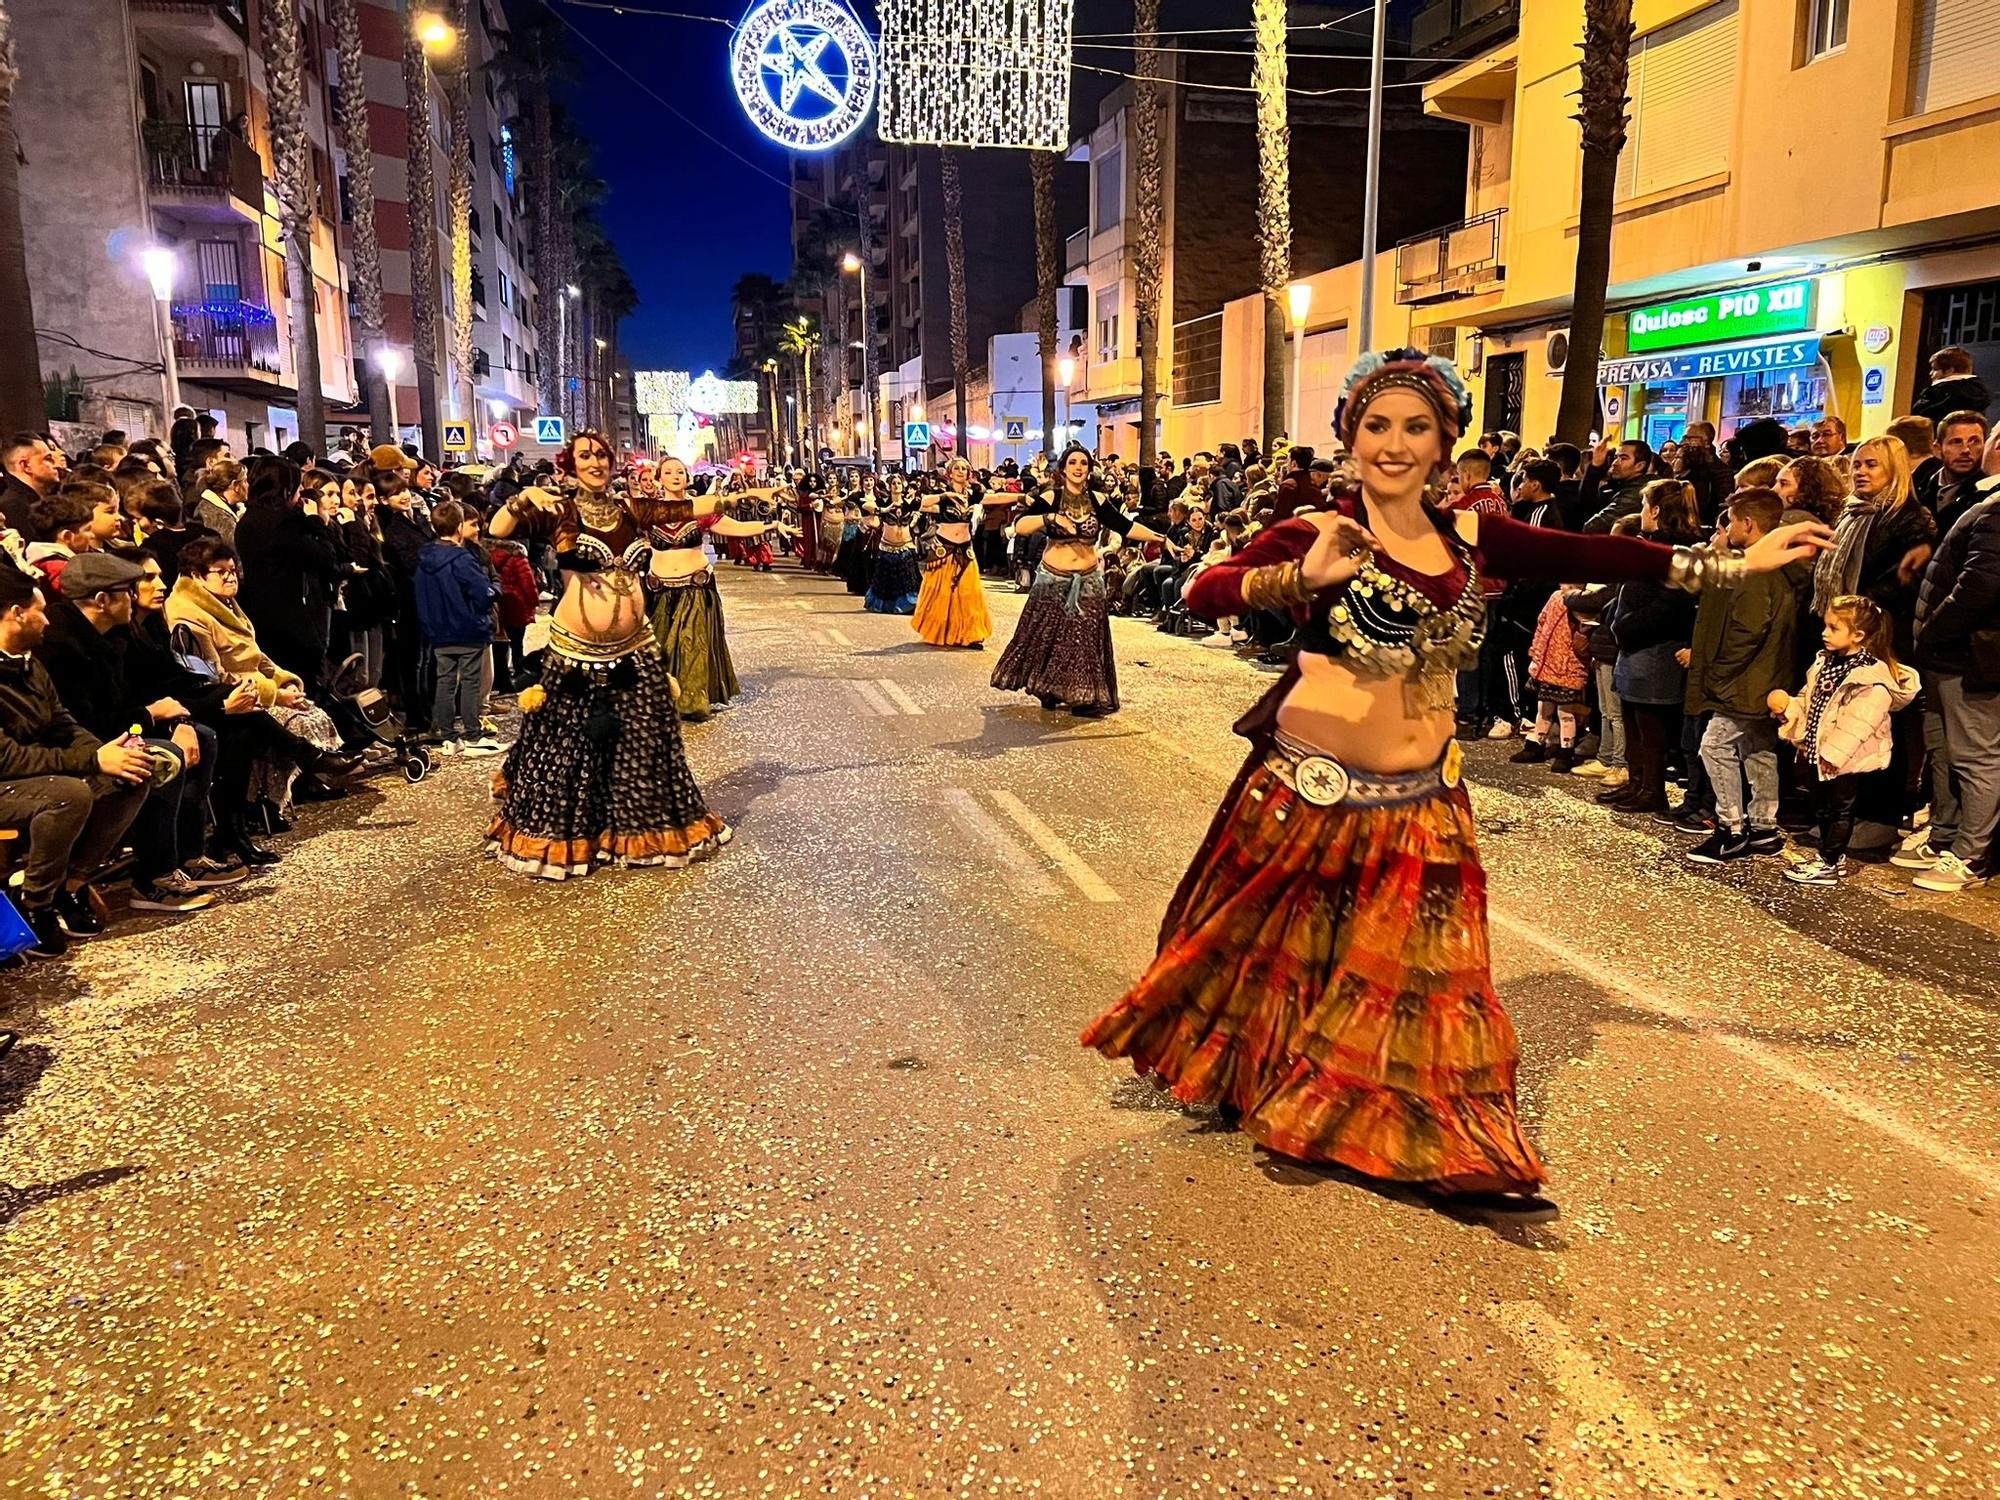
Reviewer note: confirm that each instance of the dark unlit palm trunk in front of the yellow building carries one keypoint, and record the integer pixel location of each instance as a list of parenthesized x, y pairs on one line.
[(1601, 111)]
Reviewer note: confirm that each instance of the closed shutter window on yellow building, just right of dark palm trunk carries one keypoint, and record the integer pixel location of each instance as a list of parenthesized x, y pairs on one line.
[(1683, 103)]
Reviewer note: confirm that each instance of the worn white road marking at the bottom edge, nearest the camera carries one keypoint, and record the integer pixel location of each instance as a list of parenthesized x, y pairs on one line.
[(1611, 1419)]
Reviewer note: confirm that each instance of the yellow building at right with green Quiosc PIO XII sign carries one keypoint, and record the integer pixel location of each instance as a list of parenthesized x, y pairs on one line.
[(1807, 209)]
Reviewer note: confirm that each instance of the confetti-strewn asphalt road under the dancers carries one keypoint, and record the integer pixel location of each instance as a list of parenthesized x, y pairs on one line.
[(785, 1177)]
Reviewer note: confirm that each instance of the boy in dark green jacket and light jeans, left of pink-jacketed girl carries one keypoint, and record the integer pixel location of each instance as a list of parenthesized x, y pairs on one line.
[(1741, 653)]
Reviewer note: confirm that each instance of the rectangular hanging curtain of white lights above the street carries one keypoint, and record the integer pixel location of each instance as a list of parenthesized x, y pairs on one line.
[(977, 73)]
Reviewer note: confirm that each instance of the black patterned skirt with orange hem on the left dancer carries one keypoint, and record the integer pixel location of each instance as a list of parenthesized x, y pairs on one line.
[(599, 775)]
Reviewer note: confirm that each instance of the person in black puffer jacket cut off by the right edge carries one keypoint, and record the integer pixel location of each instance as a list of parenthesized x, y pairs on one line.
[(1959, 655)]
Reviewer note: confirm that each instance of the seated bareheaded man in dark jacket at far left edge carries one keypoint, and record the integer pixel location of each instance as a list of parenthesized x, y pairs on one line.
[(67, 791)]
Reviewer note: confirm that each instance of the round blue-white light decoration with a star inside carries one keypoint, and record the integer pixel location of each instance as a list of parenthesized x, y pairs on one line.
[(805, 73)]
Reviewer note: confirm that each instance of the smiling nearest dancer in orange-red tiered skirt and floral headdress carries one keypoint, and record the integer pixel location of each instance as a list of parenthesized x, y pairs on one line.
[(1323, 971)]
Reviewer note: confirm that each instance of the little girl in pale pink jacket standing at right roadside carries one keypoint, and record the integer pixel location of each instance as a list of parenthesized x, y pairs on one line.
[(1841, 723)]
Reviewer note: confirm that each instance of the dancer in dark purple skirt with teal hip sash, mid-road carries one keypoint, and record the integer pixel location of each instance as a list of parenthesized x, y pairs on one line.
[(1063, 643)]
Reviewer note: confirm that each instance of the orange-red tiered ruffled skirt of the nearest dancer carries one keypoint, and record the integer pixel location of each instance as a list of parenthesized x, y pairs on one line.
[(1325, 973)]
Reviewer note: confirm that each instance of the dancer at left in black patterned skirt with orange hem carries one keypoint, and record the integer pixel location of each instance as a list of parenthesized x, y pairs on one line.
[(599, 773)]
